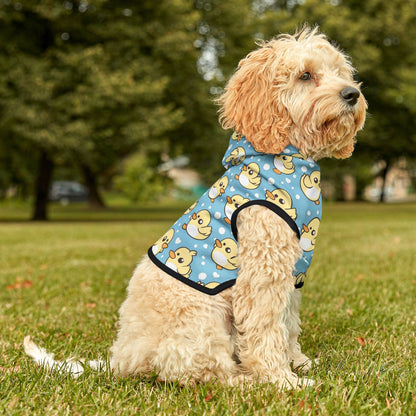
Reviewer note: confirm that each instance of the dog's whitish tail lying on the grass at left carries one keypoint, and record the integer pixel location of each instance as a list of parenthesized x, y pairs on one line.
[(71, 365)]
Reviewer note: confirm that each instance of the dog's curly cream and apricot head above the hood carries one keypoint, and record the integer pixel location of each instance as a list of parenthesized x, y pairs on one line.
[(295, 90)]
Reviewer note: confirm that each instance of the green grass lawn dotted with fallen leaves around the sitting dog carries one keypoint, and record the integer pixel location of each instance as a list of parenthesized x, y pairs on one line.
[(62, 282)]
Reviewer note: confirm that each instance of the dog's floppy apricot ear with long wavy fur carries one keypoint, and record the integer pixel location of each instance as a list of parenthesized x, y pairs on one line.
[(251, 104)]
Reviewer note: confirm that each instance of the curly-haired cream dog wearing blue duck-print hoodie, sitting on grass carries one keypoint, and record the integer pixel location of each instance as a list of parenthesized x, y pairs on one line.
[(217, 297)]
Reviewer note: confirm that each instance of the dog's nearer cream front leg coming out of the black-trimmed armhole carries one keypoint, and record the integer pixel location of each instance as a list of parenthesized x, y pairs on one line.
[(268, 251)]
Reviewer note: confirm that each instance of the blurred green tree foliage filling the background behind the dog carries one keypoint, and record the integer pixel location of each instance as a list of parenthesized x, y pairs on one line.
[(87, 84)]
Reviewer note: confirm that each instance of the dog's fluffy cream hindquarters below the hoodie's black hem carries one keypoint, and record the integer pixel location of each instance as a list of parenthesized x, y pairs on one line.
[(177, 331)]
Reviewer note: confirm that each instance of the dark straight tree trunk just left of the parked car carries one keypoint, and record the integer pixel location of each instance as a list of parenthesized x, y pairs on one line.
[(42, 185)]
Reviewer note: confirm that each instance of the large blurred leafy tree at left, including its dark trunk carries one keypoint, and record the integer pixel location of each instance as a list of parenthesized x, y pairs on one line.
[(78, 81)]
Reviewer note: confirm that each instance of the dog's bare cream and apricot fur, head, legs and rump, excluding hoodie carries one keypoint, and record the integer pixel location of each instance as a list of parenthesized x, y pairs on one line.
[(294, 90)]
